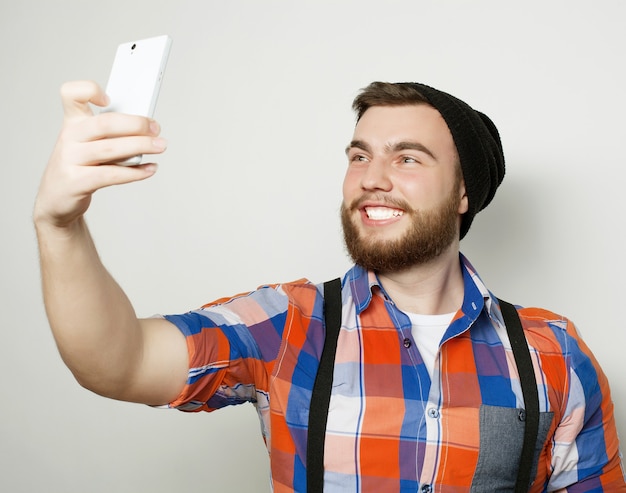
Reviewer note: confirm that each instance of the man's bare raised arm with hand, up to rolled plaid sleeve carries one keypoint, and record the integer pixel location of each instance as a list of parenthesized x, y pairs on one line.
[(108, 349)]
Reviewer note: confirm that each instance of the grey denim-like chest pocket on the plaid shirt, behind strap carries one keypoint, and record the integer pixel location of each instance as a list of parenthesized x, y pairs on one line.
[(501, 440)]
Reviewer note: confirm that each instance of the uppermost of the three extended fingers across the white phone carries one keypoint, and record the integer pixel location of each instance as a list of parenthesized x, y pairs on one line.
[(111, 125)]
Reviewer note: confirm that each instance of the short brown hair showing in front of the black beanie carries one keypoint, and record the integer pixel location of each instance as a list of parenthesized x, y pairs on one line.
[(387, 94)]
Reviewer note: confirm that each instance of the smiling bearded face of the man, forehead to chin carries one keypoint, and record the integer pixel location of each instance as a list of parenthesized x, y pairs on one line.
[(403, 194)]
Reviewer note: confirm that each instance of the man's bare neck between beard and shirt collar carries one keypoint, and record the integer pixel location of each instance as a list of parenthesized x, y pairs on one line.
[(430, 289)]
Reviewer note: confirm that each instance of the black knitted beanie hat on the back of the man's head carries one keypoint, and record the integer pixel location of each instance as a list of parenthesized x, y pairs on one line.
[(478, 145)]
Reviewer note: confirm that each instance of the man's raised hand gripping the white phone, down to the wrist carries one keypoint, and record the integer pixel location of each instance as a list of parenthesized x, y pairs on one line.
[(87, 142)]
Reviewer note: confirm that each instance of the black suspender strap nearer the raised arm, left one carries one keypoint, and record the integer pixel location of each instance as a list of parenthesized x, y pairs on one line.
[(320, 397)]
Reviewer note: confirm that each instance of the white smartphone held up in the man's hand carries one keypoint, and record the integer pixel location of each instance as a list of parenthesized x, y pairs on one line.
[(135, 79)]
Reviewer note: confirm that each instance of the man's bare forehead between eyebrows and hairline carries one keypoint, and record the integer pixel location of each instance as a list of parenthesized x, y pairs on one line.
[(421, 123)]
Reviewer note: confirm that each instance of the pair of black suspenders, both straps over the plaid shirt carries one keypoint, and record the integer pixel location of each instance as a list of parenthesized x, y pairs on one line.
[(320, 398)]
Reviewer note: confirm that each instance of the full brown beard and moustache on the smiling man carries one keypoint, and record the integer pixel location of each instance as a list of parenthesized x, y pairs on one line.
[(430, 233)]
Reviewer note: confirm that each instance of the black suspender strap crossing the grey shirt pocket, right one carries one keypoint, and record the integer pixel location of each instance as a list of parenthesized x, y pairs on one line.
[(529, 391)]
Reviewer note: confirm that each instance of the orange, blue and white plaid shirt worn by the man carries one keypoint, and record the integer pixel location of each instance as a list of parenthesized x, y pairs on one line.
[(390, 427)]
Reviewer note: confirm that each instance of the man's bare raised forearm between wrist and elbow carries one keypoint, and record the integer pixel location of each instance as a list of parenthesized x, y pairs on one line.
[(92, 320)]
